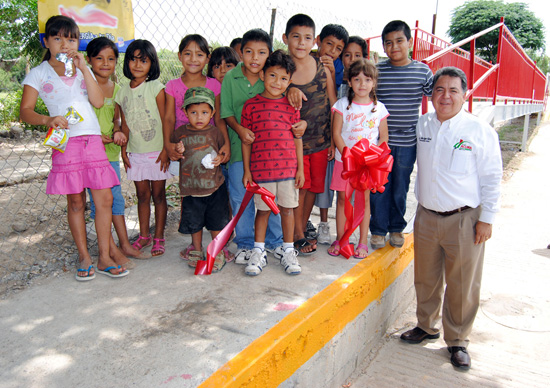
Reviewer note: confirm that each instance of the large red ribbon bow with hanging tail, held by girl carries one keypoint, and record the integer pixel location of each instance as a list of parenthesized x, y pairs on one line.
[(366, 167)]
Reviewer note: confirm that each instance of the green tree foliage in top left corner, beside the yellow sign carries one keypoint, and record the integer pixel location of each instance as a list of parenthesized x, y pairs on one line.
[(19, 30)]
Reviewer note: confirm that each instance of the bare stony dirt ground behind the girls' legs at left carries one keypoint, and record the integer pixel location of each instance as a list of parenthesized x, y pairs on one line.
[(34, 236)]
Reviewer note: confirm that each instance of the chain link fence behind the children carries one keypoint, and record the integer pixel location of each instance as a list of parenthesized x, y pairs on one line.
[(34, 234)]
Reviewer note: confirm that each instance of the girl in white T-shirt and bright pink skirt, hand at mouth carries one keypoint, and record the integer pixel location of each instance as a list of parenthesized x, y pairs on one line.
[(83, 164)]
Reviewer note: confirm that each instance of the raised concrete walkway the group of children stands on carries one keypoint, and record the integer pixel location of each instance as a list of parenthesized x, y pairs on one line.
[(159, 326)]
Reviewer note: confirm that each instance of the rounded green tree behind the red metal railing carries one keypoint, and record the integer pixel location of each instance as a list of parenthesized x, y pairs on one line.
[(475, 16)]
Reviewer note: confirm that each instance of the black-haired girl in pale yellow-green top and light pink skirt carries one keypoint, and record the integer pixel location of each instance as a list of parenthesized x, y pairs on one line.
[(141, 105)]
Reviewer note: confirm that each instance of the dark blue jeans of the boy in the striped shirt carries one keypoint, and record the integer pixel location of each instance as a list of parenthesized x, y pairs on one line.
[(388, 208)]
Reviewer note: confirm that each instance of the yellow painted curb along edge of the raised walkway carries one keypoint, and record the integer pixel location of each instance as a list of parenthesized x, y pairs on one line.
[(276, 355)]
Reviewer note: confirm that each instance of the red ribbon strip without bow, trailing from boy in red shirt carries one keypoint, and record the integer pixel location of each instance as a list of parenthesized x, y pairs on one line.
[(216, 245)]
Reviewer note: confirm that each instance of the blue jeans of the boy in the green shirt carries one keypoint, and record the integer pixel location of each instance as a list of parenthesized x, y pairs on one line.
[(245, 227)]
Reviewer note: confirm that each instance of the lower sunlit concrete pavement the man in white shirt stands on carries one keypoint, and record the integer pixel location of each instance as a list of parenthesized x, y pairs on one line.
[(511, 338)]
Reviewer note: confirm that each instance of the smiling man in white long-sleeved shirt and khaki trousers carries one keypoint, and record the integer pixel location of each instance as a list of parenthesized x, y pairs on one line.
[(458, 191)]
